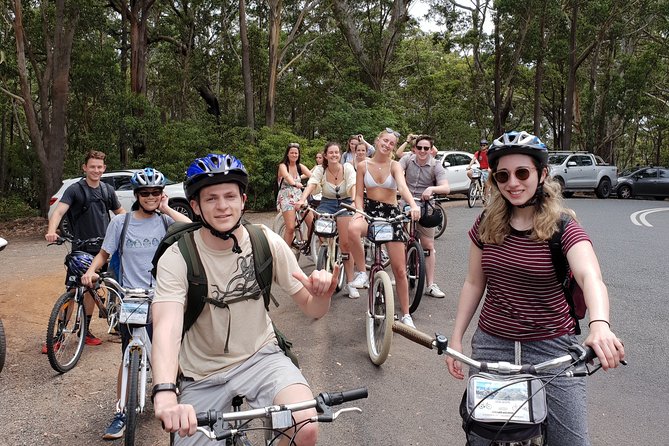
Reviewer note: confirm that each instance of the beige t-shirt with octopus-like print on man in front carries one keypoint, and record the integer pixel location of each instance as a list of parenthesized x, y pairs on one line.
[(230, 276)]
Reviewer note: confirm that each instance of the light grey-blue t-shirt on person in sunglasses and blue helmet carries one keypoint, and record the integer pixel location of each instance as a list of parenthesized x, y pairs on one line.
[(141, 241)]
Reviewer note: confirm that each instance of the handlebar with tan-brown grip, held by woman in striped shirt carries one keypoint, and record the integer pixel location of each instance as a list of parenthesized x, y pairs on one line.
[(577, 358)]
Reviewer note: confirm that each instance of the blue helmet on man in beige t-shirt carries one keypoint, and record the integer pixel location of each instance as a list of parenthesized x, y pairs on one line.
[(214, 169)]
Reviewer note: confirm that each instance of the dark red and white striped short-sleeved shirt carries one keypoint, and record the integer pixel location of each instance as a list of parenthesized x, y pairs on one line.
[(524, 301)]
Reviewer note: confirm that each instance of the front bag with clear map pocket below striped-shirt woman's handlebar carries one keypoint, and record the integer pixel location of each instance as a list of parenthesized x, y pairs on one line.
[(504, 408)]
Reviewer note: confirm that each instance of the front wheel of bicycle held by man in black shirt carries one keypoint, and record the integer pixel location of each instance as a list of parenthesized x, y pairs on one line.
[(66, 335)]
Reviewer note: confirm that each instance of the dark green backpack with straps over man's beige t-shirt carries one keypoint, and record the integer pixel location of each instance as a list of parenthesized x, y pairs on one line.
[(182, 233)]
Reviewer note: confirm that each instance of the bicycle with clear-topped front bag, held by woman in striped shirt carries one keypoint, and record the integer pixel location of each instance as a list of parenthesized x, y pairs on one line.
[(505, 404)]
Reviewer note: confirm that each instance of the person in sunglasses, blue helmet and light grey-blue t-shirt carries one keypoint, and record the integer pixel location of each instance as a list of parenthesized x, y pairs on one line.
[(135, 236)]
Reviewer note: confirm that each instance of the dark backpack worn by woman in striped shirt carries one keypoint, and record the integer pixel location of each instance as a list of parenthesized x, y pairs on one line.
[(572, 291)]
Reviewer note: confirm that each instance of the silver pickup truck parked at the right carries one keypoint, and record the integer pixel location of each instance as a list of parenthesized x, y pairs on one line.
[(582, 171)]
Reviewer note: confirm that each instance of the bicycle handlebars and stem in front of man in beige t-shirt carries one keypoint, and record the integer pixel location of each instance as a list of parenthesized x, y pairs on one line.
[(278, 421)]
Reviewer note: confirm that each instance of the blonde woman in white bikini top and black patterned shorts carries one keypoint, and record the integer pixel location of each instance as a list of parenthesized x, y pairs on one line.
[(379, 179)]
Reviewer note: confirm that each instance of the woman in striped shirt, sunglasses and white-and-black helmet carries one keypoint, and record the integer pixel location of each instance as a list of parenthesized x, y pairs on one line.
[(525, 314)]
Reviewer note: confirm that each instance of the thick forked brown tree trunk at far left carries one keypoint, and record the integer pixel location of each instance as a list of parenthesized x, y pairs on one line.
[(47, 127)]
